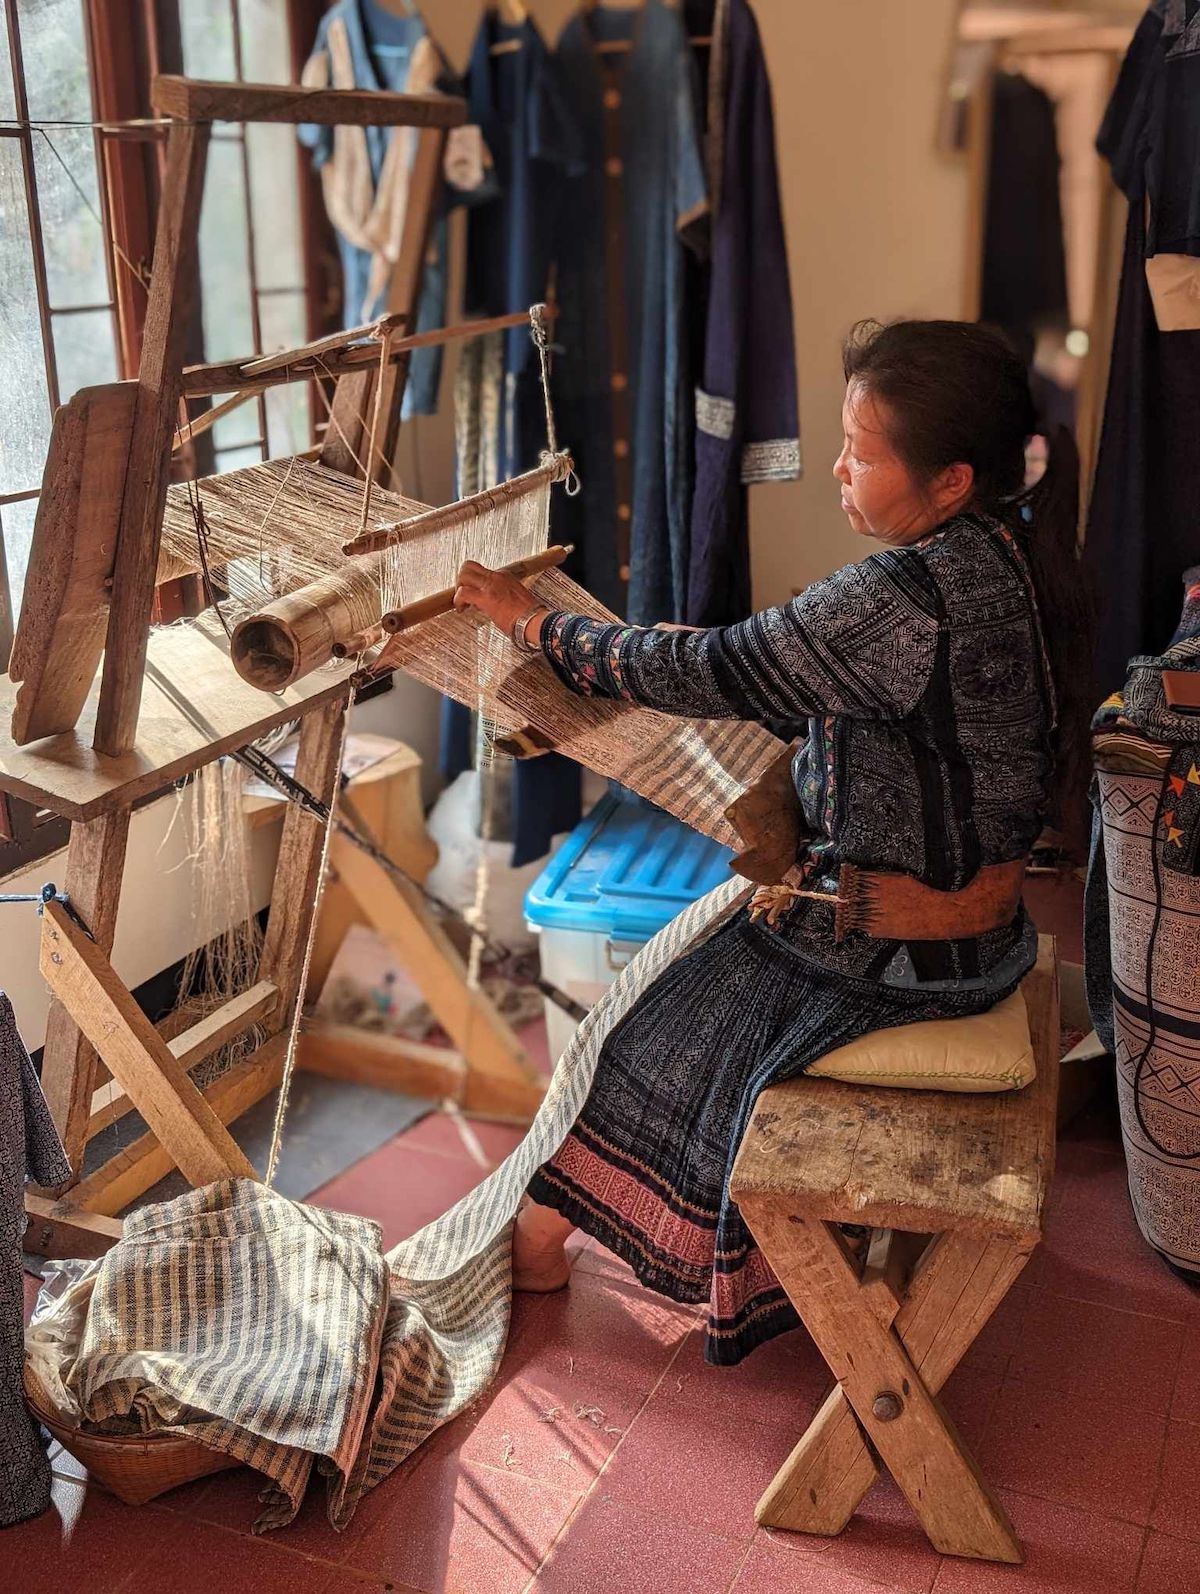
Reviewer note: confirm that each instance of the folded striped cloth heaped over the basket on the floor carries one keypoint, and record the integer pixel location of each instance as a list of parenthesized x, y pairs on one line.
[(246, 1322)]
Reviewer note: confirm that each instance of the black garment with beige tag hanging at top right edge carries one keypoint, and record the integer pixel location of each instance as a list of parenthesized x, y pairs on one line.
[(1145, 517)]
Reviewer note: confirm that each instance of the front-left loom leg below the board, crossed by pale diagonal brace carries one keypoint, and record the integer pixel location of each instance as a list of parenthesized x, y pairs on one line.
[(69, 1064)]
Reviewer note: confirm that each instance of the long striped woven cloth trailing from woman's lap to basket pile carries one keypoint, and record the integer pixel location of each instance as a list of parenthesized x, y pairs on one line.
[(281, 1335)]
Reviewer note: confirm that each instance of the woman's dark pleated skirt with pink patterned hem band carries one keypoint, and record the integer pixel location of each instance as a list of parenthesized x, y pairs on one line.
[(646, 1168)]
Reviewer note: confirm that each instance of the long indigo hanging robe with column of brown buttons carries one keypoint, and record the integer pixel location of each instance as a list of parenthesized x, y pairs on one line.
[(624, 380)]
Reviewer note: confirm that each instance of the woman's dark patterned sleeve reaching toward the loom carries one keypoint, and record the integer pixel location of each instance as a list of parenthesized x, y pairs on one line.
[(860, 643)]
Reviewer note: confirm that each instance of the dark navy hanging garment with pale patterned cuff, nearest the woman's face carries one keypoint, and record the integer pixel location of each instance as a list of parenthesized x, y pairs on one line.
[(747, 404)]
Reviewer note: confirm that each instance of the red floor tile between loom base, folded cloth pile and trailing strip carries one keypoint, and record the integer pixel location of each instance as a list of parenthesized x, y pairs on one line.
[(401, 1188)]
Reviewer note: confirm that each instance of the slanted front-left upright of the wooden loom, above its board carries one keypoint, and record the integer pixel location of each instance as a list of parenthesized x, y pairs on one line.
[(173, 288)]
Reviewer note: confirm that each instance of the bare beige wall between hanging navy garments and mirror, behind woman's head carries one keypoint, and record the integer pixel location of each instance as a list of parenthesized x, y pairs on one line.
[(876, 226)]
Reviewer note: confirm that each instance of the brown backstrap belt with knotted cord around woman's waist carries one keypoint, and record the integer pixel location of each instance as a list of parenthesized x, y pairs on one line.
[(900, 908)]
